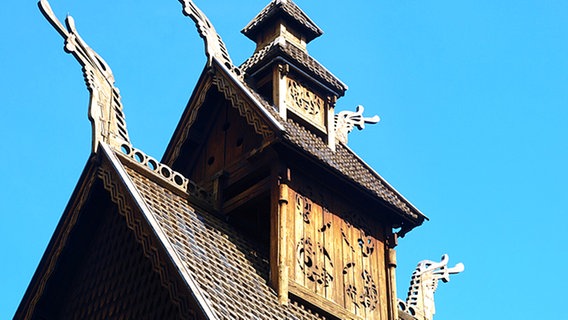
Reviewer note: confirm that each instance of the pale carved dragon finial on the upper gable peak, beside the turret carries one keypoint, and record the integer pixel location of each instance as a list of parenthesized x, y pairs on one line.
[(214, 46)]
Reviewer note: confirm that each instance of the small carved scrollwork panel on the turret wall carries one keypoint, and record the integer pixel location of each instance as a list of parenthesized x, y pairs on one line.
[(305, 103)]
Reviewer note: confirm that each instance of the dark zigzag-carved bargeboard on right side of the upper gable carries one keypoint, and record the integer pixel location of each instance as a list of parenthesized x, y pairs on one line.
[(244, 108)]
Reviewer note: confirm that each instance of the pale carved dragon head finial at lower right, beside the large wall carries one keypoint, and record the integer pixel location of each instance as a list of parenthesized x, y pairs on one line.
[(423, 284)]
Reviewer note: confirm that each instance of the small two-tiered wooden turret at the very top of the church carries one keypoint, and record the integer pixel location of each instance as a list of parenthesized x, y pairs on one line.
[(283, 72)]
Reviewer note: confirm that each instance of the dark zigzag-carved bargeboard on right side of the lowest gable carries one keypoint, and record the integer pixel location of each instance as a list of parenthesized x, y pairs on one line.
[(143, 237)]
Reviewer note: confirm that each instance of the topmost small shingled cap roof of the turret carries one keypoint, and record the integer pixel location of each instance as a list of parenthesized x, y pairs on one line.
[(287, 10)]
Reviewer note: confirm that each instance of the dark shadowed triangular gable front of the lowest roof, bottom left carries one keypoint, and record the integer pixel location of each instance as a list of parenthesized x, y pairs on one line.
[(104, 172)]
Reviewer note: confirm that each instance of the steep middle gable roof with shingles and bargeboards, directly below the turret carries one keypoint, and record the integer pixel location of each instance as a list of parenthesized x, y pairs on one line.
[(342, 160)]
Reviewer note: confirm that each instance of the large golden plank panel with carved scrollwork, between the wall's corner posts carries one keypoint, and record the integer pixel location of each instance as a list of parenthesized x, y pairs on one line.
[(336, 253)]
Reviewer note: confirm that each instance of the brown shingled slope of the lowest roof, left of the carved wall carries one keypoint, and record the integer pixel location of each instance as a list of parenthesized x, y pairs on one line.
[(230, 270)]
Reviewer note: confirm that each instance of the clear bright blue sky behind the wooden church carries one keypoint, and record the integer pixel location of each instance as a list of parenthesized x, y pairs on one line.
[(473, 96)]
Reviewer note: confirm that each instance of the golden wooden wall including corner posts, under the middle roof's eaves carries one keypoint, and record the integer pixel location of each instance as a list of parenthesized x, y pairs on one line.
[(332, 252)]
